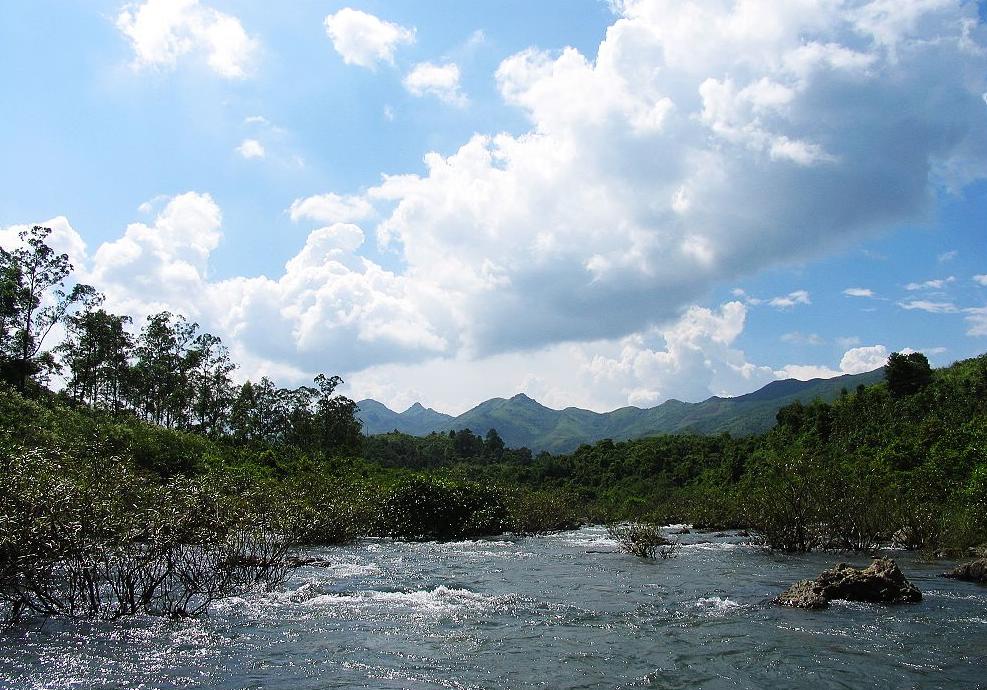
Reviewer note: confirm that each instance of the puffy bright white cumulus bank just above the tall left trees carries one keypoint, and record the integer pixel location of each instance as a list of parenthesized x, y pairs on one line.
[(327, 299)]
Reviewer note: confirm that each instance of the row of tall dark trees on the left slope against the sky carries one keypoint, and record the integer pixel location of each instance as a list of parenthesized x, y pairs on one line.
[(170, 373)]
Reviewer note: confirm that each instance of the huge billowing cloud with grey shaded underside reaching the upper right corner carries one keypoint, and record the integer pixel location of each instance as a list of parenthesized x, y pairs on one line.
[(628, 203)]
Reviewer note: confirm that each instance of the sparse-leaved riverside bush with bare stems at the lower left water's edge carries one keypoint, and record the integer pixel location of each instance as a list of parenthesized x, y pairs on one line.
[(102, 541)]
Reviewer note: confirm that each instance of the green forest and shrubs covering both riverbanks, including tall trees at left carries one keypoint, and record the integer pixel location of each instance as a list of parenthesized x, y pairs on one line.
[(136, 475)]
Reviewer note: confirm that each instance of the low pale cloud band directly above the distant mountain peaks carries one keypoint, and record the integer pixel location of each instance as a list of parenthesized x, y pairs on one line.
[(690, 359)]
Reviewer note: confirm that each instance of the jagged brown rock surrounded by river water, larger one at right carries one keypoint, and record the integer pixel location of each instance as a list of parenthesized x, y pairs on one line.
[(882, 582)]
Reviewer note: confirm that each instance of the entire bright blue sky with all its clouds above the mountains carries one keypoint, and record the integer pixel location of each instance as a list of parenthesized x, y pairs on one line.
[(596, 204)]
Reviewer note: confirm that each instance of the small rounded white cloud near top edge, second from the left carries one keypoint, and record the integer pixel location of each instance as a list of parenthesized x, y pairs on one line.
[(363, 39)]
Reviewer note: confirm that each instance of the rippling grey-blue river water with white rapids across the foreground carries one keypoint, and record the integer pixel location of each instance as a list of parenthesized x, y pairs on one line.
[(561, 611)]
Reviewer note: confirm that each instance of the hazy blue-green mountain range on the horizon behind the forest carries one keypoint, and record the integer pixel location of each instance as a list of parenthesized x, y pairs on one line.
[(521, 421)]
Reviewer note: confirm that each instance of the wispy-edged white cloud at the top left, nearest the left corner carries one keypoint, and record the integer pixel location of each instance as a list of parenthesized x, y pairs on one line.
[(162, 31)]
